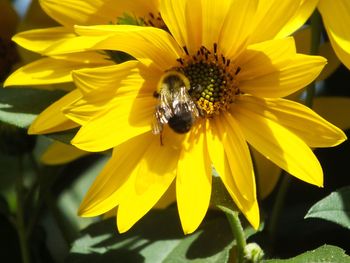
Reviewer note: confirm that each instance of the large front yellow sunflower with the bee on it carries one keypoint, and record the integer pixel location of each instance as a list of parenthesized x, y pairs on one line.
[(218, 59)]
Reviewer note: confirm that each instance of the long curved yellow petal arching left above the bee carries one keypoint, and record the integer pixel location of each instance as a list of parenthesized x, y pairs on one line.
[(140, 42)]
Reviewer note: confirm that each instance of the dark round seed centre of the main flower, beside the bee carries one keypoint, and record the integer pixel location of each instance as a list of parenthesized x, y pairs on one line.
[(213, 81)]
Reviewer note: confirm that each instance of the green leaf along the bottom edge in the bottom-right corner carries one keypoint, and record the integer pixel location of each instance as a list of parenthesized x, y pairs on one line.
[(323, 254)]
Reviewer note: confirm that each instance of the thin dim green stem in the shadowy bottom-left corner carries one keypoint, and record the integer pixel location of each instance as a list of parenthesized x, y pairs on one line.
[(20, 214)]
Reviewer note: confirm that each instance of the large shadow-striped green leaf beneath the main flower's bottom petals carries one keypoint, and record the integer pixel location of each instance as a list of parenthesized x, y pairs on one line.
[(157, 237)]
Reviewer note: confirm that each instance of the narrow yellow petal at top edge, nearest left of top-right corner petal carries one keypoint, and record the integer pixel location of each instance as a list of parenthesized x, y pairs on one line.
[(302, 14)]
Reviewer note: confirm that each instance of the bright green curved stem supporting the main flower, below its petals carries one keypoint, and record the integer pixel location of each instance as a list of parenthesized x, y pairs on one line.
[(237, 231)]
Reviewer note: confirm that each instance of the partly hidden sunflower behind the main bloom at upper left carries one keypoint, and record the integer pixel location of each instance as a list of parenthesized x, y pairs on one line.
[(50, 70)]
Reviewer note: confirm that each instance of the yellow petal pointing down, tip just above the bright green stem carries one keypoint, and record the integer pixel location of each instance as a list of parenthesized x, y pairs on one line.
[(244, 196)]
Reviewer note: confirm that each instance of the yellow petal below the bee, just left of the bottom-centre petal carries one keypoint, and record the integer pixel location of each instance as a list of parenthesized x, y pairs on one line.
[(151, 178)]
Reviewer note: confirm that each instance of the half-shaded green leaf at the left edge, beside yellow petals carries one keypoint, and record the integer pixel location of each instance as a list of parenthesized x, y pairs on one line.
[(20, 106)]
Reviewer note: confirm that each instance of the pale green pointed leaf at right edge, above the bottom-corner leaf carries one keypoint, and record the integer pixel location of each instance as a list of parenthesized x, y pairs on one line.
[(334, 208)]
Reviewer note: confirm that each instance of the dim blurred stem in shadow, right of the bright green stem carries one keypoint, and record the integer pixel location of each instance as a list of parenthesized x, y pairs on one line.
[(278, 206)]
